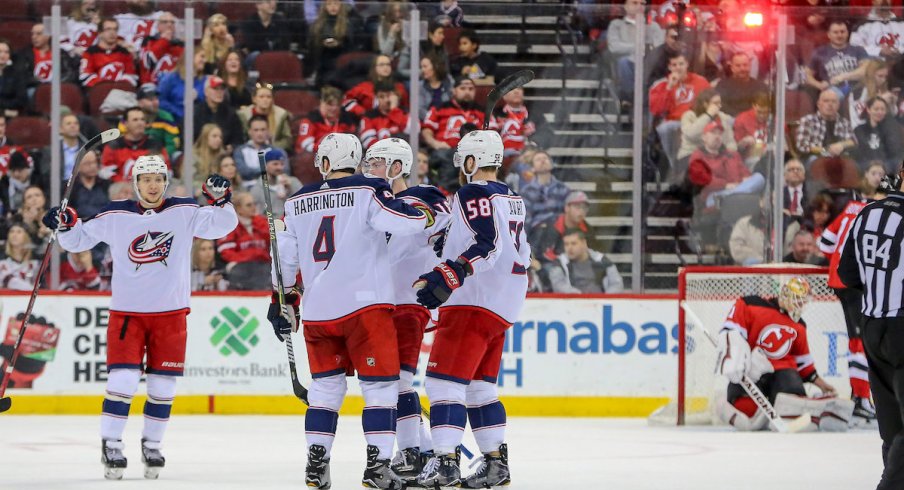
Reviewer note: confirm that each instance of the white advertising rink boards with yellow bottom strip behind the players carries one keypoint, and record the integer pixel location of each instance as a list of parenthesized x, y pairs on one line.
[(566, 356)]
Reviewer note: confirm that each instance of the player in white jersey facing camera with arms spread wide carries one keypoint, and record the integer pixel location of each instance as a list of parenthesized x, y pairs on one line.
[(150, 240)]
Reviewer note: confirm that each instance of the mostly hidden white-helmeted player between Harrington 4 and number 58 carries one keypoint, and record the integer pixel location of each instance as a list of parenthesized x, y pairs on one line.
[(391, 159)]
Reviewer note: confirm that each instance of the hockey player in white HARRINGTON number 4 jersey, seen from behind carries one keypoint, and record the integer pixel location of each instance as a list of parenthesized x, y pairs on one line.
[(336, 237)]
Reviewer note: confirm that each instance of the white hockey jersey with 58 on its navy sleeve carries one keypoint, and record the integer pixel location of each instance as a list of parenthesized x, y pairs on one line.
[(487, 230)]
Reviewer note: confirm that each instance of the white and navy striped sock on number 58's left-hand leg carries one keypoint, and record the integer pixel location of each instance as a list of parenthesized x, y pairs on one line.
[(447, 413)]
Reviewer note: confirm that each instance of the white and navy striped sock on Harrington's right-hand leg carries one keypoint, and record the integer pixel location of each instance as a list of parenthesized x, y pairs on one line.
[(379, 416)]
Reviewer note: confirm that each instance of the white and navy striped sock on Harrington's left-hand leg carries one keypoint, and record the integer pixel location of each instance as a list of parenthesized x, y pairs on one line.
[(325, 397)]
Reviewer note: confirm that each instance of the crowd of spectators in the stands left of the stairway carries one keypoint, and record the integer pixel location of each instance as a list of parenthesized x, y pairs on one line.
[(342, 66)]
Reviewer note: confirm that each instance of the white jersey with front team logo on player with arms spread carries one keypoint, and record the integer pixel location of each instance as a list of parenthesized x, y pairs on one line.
[(151, 249)]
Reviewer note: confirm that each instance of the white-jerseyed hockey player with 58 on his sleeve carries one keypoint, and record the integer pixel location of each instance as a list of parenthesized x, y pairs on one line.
[(485, 240)]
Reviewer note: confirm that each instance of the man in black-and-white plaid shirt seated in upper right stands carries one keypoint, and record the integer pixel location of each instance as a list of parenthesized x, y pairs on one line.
[(824, 133)]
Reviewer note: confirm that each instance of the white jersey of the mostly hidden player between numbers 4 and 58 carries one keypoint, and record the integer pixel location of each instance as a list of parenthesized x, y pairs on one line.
[(413, 255)]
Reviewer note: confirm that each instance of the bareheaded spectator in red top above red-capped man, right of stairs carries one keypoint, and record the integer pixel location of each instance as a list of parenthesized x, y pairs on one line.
[(670, 98)]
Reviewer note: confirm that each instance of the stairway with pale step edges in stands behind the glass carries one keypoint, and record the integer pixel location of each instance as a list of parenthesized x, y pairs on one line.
[(589, 142)]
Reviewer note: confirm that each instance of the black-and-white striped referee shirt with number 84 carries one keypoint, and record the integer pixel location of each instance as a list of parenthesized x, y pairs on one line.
[(874, 263)]
